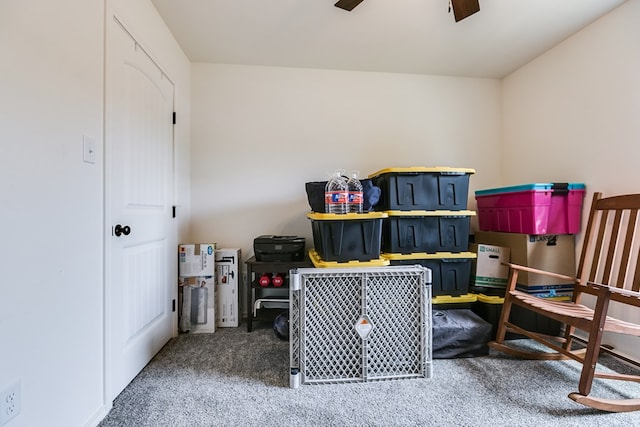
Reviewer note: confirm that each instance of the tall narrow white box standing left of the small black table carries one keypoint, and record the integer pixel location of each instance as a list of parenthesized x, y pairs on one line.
[(227, 280)]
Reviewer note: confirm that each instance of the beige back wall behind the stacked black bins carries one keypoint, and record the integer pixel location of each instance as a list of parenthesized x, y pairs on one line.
[(260, 133)]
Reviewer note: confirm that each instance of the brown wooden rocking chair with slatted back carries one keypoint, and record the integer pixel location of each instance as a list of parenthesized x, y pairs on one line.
[(608, 271)]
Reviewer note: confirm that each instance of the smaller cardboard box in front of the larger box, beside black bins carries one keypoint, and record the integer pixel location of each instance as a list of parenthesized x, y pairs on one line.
[(488, 270)]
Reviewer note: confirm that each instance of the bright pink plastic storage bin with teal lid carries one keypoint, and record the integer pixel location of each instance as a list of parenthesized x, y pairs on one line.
[(541, 208)]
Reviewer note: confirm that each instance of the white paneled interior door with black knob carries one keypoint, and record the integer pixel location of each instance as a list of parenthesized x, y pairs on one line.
[(140, 243)]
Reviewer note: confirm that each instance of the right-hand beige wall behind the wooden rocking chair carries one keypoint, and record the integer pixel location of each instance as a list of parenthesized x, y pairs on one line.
[(572, 114)]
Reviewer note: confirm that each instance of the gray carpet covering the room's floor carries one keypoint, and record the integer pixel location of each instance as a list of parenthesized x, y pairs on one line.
[(236, 378)]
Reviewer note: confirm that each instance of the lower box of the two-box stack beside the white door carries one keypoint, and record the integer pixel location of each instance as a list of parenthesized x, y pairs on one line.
[(197, 308)]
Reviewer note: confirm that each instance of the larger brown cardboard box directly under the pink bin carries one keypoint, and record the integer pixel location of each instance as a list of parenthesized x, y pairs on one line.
[(555, 253)]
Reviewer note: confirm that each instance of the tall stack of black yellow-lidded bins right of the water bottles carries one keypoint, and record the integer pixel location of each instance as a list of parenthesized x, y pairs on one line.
[(428, 224)]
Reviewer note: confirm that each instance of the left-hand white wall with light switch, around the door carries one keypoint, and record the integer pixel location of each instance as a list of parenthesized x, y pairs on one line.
[(51, 202)]
